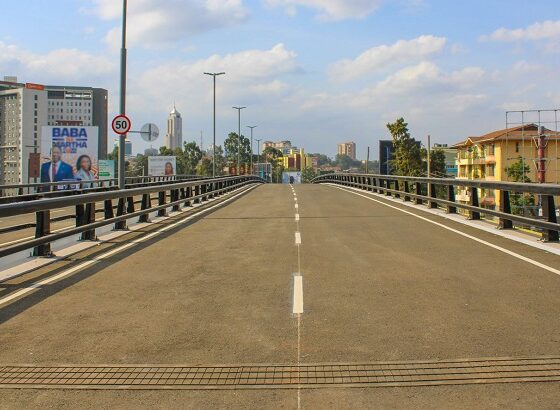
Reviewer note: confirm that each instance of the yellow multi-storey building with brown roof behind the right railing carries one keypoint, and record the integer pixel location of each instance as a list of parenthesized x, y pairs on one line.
[(486, 157)]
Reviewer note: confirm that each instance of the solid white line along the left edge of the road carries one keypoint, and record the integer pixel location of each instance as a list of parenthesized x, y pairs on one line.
[(101, 257)]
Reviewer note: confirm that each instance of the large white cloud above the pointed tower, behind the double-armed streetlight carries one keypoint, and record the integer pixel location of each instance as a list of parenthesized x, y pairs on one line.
[(253, 78)]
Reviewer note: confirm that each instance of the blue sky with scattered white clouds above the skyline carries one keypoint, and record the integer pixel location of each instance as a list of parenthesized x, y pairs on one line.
[(317, 72)]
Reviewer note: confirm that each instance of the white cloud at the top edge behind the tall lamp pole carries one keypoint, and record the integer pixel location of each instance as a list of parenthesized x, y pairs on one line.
[(159, 22)]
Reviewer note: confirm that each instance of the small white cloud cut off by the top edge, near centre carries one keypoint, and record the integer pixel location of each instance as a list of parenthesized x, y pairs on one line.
[(331, 9)]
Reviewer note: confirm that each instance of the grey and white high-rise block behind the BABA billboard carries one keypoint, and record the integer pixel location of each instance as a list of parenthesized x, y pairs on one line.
[(26, 107)]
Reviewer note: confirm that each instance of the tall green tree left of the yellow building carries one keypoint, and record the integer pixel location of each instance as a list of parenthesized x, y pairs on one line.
[(407, 156)]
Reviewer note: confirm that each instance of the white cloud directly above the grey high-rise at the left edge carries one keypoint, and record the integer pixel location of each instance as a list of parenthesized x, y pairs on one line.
[(68, 64)]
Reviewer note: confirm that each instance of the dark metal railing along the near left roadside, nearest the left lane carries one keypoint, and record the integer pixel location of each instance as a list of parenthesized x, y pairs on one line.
[(170, 194)]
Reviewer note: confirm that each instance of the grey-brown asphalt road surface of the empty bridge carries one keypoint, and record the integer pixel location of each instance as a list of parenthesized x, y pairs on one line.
[(373, 284)]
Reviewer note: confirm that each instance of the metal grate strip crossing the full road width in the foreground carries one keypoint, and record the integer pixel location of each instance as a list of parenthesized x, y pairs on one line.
[(379, 374)]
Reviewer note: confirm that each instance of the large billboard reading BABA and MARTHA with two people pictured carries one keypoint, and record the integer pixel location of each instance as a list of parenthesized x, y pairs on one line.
[(69, 154)]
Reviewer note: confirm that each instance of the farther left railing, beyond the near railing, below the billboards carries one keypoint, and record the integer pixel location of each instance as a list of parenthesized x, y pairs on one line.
[(49, 189)]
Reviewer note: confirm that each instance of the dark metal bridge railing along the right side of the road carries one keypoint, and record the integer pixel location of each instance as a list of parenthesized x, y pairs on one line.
[(441, 192)]
